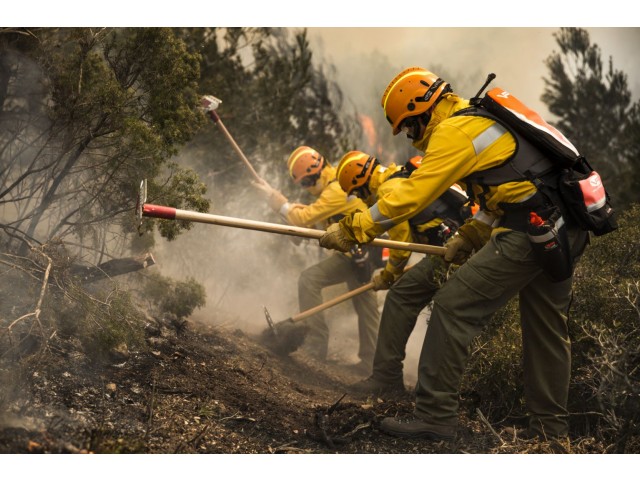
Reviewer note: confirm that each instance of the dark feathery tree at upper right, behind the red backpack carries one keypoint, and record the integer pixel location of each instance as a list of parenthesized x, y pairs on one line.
[(594, 109)]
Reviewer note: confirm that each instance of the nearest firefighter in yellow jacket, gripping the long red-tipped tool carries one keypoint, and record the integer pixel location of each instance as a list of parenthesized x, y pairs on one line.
[(460, 148)]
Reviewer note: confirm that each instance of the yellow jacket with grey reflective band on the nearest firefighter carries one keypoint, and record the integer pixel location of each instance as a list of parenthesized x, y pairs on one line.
[(454, 147)]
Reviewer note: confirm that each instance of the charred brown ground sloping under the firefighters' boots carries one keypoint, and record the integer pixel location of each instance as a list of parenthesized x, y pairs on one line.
[(209, 390)]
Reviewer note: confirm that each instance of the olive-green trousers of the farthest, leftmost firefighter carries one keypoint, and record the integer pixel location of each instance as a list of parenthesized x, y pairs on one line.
[(335, 269)]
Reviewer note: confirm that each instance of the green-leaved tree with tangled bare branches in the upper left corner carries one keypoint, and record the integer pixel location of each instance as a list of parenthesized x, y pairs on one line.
[(116, 104)]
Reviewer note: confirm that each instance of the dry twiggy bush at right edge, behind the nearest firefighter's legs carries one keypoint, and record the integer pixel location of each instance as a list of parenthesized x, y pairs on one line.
[(606, 335)]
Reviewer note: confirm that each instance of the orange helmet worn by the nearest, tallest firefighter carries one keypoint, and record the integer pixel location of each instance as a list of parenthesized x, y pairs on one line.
[(414, 91)]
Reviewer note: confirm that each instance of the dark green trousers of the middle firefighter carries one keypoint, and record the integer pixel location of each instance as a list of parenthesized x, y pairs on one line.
[(404, 301)]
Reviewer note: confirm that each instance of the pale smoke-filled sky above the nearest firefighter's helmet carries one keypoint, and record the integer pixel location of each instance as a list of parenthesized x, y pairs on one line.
[(515, 54)]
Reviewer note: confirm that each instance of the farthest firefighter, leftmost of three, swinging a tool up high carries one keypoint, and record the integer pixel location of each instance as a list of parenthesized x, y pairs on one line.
[(311, 171)]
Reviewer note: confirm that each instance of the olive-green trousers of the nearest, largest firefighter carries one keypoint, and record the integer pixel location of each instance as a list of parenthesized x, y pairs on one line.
[(503, 268)]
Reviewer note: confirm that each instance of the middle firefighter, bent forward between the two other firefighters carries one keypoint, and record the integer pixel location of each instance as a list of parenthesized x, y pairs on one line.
[(362, 175)]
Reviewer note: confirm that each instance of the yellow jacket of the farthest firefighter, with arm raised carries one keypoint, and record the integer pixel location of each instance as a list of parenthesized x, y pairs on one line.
[(331, 201)]
